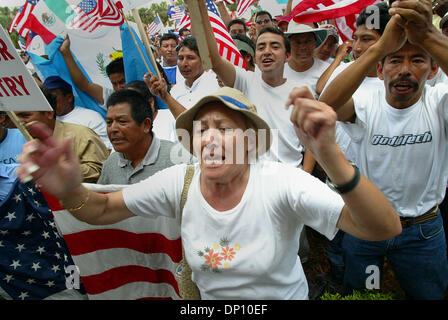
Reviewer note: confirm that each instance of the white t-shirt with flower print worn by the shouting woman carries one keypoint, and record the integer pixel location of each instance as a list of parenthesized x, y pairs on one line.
[(250, 251)]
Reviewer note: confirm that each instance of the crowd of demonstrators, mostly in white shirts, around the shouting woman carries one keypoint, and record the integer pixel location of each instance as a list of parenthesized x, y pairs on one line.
[(347, 138)]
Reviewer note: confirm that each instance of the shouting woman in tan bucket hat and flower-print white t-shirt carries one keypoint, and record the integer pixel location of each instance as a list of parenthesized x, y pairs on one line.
[(242, 217)]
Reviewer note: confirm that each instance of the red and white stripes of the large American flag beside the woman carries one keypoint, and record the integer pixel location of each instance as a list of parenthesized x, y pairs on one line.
[(133, 259)]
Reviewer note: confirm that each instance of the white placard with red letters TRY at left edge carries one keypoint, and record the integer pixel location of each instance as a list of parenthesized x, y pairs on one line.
[(18, 90)]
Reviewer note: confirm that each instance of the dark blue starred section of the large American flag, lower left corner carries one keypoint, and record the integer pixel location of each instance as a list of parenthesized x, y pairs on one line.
[(33, 256)]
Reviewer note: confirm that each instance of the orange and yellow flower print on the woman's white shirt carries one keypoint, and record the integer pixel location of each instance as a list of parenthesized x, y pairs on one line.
[(219, 256)]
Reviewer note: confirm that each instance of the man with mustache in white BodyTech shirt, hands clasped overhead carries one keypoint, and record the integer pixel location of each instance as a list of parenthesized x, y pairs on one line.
[(401, 133)]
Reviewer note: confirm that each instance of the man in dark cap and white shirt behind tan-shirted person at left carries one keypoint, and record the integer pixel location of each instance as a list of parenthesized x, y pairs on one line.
[(66, 111)]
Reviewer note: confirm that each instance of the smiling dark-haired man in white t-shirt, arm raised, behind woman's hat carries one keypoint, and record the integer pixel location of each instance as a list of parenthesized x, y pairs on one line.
[(267, 89)]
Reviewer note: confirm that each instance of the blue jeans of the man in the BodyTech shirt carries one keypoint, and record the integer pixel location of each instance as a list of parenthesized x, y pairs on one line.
[(418, 257)]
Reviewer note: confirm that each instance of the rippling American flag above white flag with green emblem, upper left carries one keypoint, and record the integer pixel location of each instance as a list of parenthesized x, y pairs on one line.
[(92, 14)]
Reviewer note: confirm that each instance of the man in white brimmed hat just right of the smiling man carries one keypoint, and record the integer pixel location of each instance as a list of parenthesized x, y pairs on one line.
[(303, 67)]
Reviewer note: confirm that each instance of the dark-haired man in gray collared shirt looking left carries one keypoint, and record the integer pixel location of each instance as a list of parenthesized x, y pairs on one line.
[(138, 152)]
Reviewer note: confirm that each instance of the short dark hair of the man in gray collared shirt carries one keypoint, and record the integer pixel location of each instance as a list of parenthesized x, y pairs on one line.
[(140, 108)]
